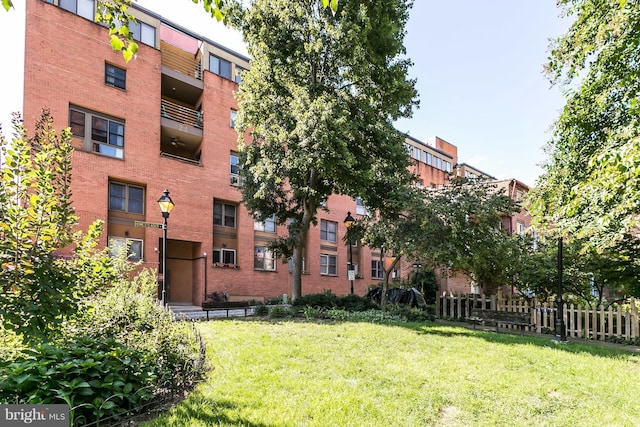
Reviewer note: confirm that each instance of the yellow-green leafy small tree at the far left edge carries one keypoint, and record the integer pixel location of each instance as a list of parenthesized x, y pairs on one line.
[(38, 291)]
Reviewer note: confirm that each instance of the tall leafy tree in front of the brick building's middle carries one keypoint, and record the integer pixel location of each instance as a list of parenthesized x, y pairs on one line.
[(319, 100)]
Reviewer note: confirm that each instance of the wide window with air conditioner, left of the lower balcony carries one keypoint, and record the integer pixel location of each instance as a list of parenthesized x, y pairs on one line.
[(100, 134)]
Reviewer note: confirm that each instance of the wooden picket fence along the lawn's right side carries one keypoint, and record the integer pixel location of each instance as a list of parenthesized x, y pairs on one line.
[(620, 321)]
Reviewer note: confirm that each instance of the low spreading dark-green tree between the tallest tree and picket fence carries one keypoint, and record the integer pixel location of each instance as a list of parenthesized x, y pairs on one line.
[(455, 226)]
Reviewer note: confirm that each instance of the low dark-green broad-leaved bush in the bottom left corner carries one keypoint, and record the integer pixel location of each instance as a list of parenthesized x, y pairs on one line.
[(95, 377)]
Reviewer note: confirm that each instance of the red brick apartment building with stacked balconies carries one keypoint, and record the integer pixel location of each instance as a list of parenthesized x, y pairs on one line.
[(165, 120)]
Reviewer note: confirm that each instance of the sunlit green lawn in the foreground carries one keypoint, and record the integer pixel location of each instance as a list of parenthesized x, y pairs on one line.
[(267, 374)]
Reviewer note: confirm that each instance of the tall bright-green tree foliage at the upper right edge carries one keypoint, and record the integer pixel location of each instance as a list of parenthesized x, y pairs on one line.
[(589, 187)]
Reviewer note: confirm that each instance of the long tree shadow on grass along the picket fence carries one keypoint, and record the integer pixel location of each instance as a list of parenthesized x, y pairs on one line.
[(511, 337)]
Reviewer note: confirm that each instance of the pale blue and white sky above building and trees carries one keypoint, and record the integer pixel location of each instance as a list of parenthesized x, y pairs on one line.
[(478, 65)]
